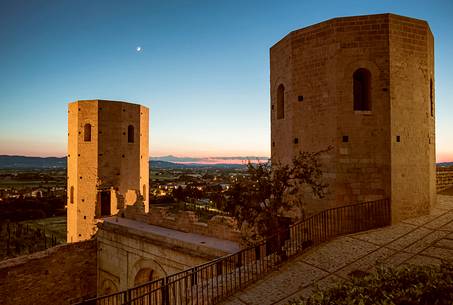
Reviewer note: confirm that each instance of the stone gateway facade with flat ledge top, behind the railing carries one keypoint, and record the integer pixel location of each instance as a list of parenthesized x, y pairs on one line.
[(128, 248)]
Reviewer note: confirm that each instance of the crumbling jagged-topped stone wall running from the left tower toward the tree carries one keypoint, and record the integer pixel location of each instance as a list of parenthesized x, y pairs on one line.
[(222, 227)]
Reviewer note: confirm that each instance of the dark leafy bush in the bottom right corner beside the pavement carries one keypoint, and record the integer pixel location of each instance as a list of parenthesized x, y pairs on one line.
[(409, 285)]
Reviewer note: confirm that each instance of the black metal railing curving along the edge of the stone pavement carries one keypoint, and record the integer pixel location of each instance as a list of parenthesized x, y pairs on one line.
[(213, 281)]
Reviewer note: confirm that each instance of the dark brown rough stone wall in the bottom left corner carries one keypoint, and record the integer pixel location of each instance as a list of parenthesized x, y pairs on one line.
[(52, 276)]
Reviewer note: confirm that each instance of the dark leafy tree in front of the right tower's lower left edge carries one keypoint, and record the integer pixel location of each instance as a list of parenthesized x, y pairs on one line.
[(259, 200)]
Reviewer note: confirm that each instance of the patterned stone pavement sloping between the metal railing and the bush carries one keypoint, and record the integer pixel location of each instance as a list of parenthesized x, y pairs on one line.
[(422, 240)]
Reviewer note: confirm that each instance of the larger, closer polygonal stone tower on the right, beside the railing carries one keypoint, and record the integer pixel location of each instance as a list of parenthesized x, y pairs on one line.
[(365, 86)]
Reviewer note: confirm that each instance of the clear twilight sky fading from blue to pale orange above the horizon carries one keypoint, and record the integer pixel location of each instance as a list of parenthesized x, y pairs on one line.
[(203, 69)]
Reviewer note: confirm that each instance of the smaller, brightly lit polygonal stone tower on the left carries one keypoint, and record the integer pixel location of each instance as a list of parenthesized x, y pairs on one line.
[(107, 162)]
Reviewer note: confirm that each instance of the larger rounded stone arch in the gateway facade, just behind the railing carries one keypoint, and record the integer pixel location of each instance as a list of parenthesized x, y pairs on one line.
[(144, 270)]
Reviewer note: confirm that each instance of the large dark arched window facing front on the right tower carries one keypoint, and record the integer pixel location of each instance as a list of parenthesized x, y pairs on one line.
[(362, 89)]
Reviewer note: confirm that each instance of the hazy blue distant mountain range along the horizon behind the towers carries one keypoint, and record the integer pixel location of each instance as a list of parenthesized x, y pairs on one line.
[(166, 162)]
